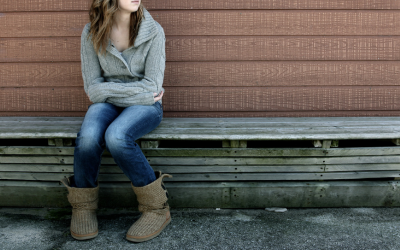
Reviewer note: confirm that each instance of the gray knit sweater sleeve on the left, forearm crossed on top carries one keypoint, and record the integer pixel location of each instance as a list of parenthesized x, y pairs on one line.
[(97, 89)]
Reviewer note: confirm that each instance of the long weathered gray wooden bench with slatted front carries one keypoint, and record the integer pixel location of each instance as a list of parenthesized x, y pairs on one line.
[(218, 162)]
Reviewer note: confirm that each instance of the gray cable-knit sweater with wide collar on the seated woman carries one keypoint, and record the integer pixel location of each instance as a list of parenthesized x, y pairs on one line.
[(127, 78)]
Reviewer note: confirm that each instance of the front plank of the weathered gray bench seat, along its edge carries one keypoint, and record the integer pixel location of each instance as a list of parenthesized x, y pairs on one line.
[(163, 133)]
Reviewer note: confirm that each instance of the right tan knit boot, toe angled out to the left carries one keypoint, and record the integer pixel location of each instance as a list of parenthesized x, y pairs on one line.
[(153, 204)]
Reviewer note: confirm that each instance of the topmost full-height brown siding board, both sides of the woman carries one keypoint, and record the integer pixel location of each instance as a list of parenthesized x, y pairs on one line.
[(217, 22)]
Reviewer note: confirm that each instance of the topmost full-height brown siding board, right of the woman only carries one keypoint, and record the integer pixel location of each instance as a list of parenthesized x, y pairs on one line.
[(279, 22)]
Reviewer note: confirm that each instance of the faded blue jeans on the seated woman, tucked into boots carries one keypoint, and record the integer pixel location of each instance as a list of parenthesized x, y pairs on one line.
[(116, 129)]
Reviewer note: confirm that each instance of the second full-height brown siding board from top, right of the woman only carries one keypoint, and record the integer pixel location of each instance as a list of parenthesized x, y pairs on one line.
[(191, 48)]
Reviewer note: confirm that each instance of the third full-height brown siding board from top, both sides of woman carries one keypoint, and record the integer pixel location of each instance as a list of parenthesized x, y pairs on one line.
[(220, 74)]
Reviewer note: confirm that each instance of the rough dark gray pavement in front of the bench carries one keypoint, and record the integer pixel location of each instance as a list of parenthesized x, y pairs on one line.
[(341, 228)]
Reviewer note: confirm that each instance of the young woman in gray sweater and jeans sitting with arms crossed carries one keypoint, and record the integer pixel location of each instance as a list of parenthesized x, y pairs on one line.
[(123, 63)]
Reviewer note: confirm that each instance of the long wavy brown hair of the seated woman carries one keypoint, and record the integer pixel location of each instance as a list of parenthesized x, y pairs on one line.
[(101, 17)]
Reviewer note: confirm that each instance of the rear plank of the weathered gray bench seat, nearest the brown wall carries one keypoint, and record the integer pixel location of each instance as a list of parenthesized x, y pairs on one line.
[(24, 123)]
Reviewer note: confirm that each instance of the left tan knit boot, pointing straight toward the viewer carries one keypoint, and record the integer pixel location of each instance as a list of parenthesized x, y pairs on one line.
[(84, 204)]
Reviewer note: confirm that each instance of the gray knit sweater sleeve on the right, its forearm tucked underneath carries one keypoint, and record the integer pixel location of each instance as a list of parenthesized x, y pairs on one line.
[(153, 75)]
